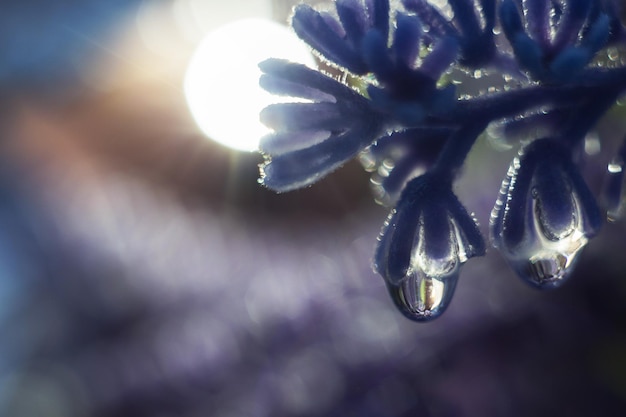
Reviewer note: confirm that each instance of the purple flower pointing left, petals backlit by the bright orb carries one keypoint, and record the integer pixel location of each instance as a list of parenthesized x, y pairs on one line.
[(312, 138)]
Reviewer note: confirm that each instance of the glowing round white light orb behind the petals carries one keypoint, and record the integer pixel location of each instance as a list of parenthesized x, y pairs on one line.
[(222, 79)]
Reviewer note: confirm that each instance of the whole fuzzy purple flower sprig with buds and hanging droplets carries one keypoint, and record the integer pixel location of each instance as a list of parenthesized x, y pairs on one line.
[(405, 115)]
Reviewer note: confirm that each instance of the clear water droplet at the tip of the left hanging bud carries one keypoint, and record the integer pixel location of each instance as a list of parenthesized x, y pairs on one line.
[(422, 298)]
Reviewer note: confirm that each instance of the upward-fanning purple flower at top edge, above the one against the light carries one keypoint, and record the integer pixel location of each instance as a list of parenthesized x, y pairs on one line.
[(406, 85)]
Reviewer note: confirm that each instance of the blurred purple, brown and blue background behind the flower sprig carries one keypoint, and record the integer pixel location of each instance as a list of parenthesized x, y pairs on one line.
[(144, 272)]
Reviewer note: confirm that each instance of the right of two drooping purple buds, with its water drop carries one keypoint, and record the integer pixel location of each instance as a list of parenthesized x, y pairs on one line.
[(545, 214)]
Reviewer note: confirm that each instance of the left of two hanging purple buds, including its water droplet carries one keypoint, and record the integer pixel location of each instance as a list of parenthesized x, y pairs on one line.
[(424, 242)]
